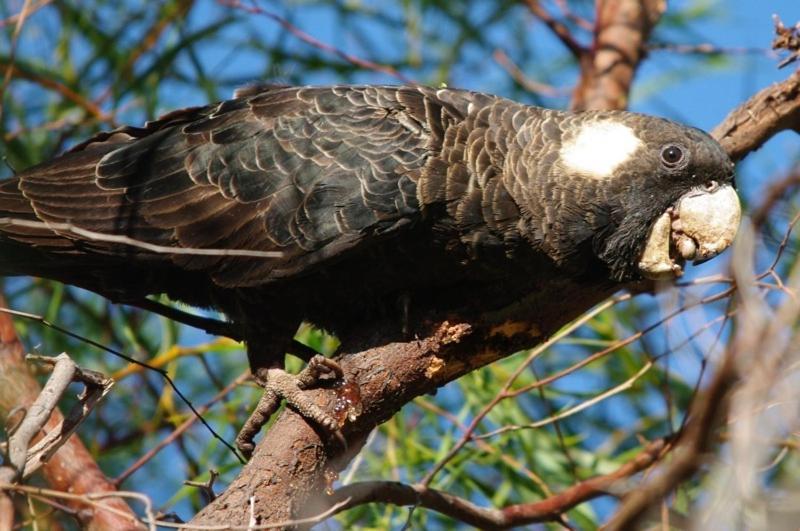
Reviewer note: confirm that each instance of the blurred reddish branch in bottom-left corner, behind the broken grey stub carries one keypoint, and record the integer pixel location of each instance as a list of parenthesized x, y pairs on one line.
[(72, 468)]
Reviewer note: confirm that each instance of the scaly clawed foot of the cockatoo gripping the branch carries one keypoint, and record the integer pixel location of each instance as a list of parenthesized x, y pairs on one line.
[(279, 385)]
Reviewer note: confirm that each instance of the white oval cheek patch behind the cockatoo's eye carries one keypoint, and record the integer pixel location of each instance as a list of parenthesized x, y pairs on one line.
[(599, 148)]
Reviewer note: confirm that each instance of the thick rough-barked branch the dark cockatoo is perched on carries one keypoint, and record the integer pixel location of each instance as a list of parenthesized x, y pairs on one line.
[(291, 464)]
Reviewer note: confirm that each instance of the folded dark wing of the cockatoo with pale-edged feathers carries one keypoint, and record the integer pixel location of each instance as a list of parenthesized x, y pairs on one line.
[(309, 172)]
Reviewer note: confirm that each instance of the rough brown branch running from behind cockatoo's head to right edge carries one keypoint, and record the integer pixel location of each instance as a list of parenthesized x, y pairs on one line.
[(772, 110)]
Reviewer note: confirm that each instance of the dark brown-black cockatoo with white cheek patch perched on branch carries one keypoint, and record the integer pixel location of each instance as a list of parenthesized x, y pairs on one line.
[(341, 203)]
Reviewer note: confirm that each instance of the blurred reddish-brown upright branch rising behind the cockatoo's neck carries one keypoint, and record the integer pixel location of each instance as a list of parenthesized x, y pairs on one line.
[(622, 30)]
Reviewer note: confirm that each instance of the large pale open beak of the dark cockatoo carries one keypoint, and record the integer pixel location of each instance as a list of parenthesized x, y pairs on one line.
[(698, 227)]
